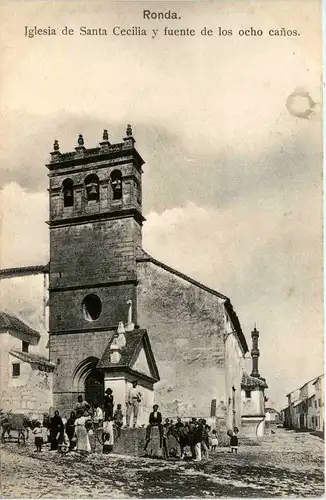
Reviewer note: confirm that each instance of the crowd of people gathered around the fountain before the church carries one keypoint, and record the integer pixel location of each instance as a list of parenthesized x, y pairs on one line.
[(194, 438)]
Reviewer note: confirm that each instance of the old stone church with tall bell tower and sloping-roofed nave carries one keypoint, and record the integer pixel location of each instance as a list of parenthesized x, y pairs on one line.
[(113, 314)]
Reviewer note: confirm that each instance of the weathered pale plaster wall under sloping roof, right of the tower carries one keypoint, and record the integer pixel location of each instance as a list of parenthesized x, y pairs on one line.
[(185, 325)]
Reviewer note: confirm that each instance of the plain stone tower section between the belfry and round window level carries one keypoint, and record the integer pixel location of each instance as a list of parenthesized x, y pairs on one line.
[(93, 252)]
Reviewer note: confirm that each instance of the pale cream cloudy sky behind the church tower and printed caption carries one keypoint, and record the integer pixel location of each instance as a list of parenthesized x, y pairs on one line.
[(232, 185)]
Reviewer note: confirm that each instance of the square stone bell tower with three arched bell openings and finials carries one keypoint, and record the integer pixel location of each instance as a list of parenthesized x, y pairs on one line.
[(95, 223)]
